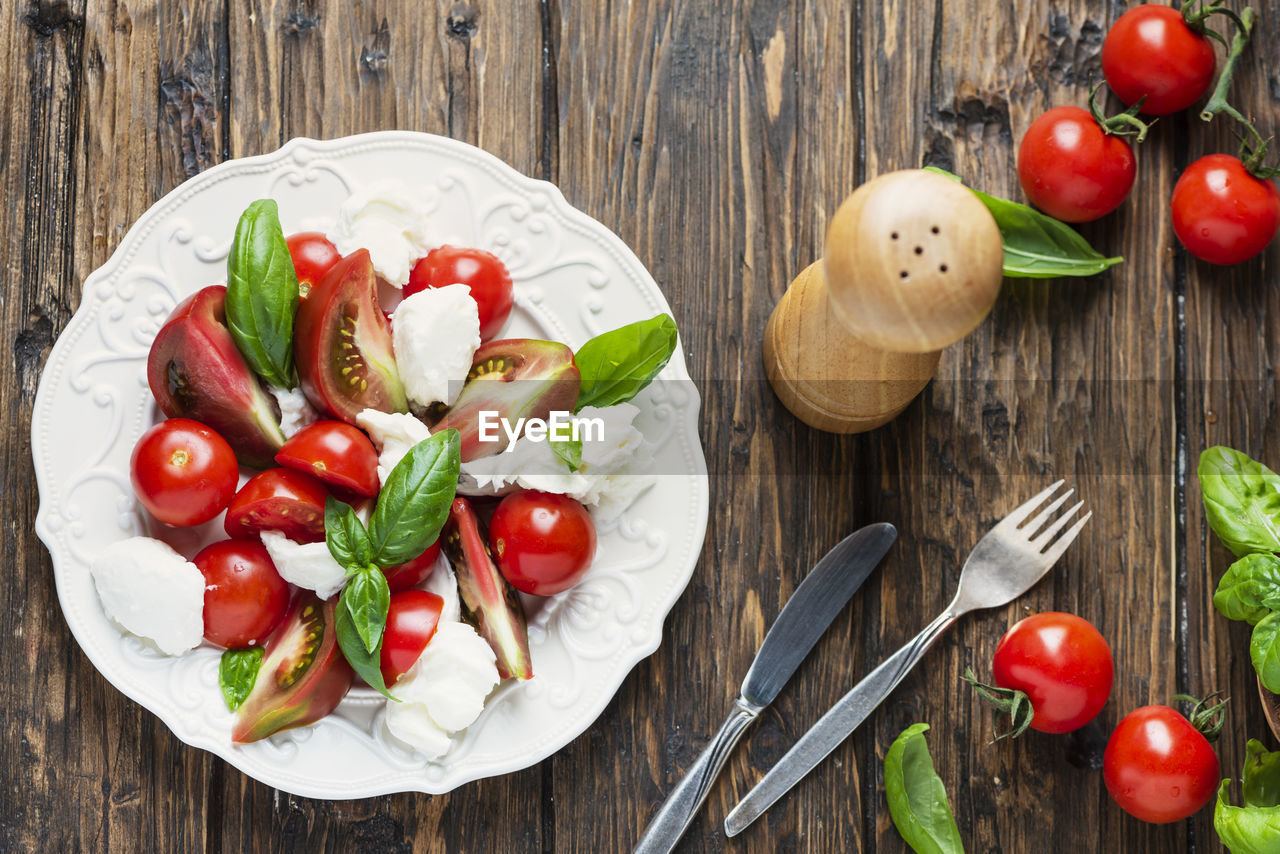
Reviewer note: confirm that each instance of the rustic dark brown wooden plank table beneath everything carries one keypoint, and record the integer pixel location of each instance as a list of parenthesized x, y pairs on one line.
[(716, 139)]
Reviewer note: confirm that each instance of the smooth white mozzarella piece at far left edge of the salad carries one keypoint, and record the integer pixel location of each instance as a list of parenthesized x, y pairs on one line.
[(153, 592)]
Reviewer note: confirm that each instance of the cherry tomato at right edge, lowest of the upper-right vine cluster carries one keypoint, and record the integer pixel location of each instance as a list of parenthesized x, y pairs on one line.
[(1222, 213)]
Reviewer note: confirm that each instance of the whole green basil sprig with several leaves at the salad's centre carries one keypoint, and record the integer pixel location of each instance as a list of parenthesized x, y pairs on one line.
[(412, 510)]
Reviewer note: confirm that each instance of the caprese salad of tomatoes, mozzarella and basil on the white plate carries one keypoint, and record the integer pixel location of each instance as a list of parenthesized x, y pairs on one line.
[(346, 447)]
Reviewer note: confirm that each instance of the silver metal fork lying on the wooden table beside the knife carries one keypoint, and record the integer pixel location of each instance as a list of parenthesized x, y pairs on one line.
[(1005, 564)]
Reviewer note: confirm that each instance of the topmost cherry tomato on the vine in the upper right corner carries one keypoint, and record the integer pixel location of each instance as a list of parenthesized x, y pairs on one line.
[(1151, 52)]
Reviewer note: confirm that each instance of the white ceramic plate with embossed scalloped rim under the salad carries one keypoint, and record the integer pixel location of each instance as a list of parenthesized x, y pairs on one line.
[(574, 280)]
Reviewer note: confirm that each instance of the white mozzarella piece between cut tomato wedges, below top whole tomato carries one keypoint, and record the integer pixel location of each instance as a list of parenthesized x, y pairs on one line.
[(436, 334)]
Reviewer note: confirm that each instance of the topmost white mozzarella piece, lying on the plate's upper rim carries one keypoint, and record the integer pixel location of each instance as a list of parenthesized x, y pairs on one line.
[(388, 221)]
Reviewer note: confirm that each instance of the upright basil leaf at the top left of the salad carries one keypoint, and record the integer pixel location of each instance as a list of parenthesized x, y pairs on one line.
[(263, 295)]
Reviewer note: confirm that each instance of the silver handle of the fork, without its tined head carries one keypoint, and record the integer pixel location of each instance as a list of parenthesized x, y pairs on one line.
[(835, 727)]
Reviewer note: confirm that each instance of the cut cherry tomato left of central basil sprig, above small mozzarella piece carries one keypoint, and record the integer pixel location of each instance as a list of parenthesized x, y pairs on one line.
[(278, 500)]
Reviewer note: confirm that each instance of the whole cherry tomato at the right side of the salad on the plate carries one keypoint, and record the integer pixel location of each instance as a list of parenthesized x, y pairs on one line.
[(543, 544)]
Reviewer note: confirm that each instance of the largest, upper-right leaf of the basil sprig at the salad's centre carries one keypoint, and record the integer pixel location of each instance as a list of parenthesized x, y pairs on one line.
[(415, 500)]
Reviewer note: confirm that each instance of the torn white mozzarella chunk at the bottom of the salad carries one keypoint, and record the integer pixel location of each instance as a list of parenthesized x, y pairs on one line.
[(445, 691)]
